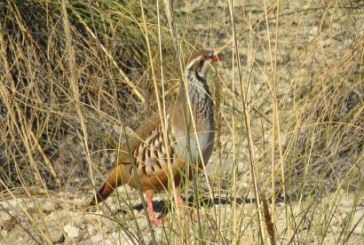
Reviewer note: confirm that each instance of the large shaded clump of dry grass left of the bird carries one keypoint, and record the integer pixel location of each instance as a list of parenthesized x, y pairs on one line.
[(40, 127)]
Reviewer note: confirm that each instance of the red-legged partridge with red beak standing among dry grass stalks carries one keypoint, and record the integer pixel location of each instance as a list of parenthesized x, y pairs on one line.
[(159, 151)]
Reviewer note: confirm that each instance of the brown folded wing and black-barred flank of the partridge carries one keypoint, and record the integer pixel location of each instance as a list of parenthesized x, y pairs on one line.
[(152, 157)]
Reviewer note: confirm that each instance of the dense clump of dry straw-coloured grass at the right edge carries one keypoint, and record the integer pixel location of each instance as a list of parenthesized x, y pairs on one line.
[(327, 128)]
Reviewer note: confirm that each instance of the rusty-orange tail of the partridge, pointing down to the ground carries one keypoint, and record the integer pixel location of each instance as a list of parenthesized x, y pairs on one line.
[(112, 182)]
